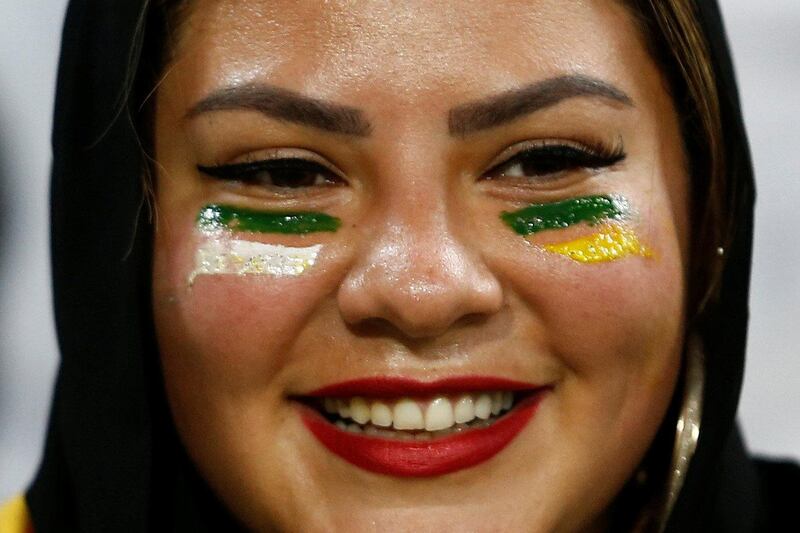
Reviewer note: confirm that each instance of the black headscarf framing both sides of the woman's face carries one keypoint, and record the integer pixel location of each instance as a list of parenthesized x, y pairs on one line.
[(112, 460)]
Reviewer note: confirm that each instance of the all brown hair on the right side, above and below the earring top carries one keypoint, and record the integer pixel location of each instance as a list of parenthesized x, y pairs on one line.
[(675, 39)]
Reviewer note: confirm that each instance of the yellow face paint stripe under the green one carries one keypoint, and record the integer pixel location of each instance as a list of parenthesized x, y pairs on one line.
[(608, 243)]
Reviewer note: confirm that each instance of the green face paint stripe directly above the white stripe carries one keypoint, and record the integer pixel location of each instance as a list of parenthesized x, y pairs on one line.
[(215, 217)]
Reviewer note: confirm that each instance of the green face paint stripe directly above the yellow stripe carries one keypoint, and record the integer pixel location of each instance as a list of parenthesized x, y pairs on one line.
[(589, 209)]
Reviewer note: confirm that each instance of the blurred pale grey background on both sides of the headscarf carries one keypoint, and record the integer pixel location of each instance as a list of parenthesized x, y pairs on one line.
[(765, 38)]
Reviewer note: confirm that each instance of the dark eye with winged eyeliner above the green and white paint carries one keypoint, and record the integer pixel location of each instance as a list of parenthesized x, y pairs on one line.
[(286, 173)]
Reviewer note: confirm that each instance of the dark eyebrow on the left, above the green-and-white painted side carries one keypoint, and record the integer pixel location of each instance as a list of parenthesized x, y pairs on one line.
[(283, 104)]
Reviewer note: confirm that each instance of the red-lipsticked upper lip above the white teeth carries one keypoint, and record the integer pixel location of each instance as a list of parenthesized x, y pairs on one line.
[(402, 386)]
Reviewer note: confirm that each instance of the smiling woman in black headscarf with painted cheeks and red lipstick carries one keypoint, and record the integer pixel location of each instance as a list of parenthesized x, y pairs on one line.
[(455, 267)]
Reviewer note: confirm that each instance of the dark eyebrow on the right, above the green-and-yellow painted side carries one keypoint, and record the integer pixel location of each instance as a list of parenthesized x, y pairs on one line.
[(507, 106)]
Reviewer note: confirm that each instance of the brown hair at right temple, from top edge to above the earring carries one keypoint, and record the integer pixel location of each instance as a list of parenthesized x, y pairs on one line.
[(675, 39)]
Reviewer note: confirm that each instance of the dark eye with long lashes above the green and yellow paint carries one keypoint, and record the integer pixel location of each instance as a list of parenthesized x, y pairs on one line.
[(551, 159)]
